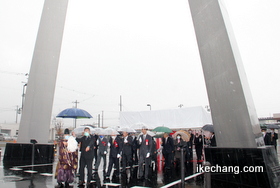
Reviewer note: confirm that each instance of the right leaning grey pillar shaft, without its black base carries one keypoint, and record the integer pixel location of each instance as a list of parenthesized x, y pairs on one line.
[(233, 112)]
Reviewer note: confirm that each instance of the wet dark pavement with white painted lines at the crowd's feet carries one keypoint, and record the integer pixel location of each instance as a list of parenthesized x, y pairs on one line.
[(21, 177)]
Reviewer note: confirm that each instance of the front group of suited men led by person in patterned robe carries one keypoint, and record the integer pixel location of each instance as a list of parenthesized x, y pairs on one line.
[(125, 148)]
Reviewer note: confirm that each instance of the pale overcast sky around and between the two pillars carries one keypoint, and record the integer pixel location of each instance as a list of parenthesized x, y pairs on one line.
[(144, 51)]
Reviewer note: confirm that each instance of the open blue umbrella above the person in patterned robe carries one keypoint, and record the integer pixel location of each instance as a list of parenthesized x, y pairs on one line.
[(75, 113)]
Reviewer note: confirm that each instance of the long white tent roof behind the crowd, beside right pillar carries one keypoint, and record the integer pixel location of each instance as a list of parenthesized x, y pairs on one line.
[(192, 117)]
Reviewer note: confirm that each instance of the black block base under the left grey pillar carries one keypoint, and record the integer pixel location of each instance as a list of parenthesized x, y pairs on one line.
[(19, 154)]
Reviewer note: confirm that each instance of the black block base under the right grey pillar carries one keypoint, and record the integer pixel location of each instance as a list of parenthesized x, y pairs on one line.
[(255, 158)]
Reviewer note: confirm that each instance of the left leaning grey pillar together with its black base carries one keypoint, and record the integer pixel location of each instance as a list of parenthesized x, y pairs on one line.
[(36, 115)]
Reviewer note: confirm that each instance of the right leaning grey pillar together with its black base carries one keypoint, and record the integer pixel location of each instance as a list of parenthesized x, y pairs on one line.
[(235, 121)]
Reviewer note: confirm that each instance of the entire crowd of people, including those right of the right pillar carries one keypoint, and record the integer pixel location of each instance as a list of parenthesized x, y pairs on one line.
[(124, 151)]
